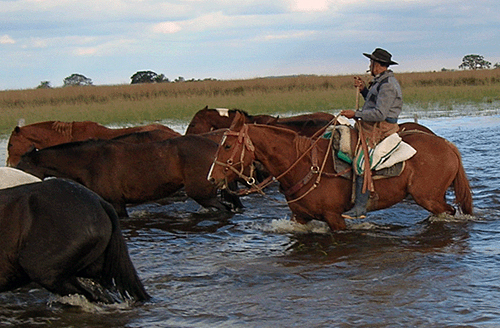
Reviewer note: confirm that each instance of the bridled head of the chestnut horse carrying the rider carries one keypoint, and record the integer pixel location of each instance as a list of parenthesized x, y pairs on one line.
[(235, 153)]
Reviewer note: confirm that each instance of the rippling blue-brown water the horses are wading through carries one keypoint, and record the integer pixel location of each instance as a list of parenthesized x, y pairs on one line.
[(397, 268)]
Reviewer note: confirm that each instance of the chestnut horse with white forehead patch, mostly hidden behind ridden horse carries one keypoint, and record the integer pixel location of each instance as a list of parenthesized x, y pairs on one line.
[(207, 120)]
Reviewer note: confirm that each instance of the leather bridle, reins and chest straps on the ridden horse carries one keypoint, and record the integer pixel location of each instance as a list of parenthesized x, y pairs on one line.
[(246, 144)]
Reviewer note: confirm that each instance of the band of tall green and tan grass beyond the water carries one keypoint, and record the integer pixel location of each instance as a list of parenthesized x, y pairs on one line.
[(136, 104)]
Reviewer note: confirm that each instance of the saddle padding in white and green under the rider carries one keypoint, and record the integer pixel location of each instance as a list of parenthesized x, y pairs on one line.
[(387, 159)]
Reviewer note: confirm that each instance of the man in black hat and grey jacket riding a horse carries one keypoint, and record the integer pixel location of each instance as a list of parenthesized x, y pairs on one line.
[(376, 120)]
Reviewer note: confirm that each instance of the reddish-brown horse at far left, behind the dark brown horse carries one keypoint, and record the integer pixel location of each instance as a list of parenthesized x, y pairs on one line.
[(51, 133)]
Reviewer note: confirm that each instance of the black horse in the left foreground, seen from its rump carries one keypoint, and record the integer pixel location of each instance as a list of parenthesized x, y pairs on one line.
[(66, 238)]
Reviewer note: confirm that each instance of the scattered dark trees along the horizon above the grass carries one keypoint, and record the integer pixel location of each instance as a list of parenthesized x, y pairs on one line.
[(471, 61)]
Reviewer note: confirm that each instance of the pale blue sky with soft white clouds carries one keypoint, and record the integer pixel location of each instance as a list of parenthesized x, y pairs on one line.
[(110, 40)]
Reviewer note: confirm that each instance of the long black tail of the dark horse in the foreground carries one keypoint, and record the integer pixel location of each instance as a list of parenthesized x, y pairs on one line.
[(118, 267)]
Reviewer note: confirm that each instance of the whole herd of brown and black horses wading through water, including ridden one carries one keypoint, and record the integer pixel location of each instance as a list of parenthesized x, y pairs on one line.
[(60, 224)]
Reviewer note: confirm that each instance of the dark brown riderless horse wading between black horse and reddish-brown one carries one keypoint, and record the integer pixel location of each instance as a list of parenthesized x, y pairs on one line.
[(129, 173)]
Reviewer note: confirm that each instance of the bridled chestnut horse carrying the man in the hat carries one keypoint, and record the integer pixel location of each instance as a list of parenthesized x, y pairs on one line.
[(315, 191)]
